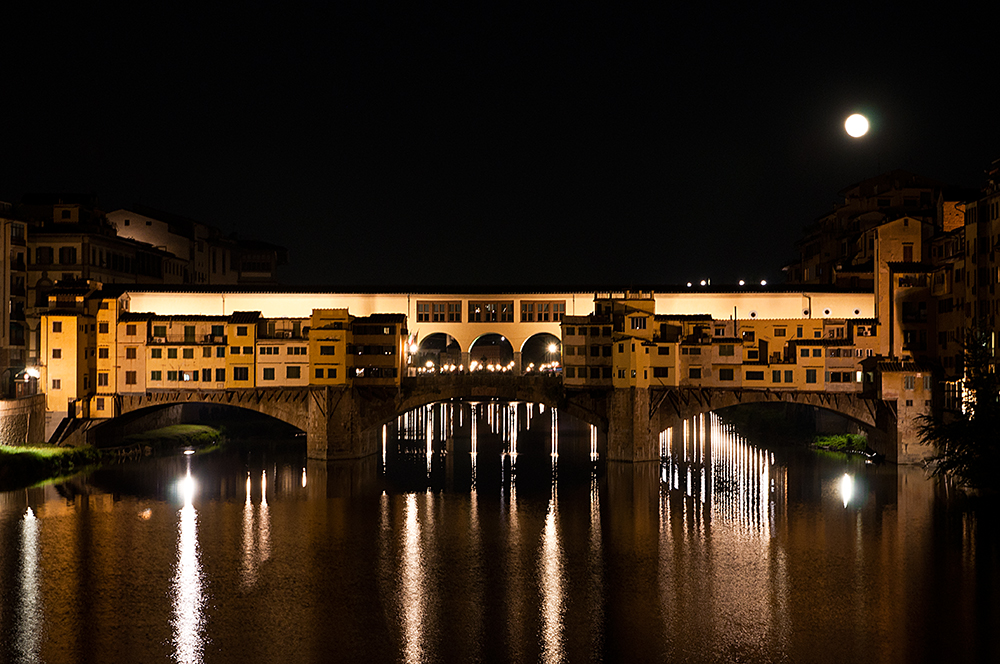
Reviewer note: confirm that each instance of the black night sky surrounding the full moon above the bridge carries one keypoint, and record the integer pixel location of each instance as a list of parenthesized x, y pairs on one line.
[(550, 143)]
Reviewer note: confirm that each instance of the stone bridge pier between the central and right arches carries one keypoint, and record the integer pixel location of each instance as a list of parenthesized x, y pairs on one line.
[(631, 435)]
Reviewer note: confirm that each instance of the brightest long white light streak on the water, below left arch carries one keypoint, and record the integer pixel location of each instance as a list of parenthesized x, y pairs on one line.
[(186, 588)]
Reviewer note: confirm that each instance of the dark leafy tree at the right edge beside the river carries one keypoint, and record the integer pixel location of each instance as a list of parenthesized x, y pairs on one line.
[(968, 442)]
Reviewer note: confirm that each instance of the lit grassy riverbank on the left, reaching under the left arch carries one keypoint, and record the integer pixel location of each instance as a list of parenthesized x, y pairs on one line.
[(27, 466)]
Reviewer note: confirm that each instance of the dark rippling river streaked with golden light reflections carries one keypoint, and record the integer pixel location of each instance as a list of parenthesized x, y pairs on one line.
[(448, 548)]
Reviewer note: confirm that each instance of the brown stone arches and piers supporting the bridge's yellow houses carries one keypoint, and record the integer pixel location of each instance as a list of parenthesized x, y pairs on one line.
[(344, 423)]
